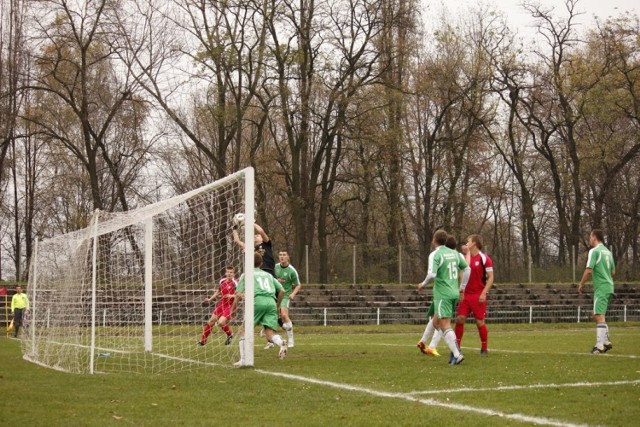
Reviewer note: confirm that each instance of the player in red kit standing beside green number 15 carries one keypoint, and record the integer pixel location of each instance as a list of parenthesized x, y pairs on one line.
[(474, 295)]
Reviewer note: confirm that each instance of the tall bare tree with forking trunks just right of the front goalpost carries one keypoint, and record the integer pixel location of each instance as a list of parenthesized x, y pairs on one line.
[(315, 95)]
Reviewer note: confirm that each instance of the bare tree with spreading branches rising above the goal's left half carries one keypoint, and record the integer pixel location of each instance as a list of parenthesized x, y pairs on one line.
[(81, 98)]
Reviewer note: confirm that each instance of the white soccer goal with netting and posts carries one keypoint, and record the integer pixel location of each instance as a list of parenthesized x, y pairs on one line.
[(126, 293)]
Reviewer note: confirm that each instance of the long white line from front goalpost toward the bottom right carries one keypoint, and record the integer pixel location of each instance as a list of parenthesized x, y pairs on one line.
[(427, 402)]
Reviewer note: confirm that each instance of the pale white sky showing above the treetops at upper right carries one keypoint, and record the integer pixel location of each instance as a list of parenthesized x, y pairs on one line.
[(522, 21)]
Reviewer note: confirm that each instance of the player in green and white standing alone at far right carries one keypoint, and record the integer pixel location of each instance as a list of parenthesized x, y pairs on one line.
[(600, 265)]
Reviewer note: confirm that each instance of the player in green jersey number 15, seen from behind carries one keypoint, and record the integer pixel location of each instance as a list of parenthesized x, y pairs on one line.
[(444, 267)]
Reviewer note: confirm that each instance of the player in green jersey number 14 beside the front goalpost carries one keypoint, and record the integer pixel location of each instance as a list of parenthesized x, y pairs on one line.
[(268, 294)]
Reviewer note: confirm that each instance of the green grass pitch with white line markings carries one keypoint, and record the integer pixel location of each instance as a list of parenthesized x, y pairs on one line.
[(357, 376)]
